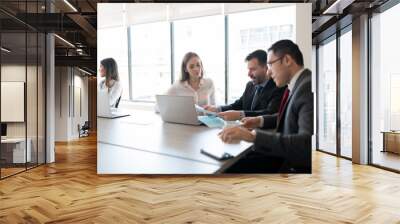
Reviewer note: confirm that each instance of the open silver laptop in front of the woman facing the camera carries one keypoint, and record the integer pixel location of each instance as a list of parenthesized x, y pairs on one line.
[(181, 110)]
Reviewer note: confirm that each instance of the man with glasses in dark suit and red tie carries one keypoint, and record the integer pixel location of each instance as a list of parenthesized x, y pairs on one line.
[(287, 147)]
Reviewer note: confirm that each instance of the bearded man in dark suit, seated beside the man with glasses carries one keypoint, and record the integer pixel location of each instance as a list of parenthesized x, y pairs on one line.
[(261, 95)]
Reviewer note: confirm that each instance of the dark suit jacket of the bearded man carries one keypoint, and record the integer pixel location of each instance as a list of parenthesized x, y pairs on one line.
[(267, 103)]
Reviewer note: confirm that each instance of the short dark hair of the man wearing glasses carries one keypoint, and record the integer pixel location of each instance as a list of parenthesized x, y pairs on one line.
[(282, 47)]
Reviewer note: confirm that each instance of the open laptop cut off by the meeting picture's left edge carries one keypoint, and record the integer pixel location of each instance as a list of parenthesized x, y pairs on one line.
[(103, 106)]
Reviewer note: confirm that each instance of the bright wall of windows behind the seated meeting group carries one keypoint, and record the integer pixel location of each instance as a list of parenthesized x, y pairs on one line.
[(150, 52)]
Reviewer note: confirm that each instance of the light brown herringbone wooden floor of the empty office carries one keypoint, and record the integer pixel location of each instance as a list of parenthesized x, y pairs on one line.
[(70, 191)]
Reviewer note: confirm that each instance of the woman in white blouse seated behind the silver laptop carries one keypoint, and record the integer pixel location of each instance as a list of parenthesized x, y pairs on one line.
[(192, 82)]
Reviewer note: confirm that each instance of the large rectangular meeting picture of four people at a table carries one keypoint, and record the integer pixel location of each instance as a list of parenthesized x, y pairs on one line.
[(190, 88)]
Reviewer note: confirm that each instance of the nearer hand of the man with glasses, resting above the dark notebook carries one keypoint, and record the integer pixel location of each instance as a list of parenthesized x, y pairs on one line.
[(235, 134)]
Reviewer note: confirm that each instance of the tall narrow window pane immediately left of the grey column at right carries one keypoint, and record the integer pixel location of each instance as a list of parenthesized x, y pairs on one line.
[(346, 94)]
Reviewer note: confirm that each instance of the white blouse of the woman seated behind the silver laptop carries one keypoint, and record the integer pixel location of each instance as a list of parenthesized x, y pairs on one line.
[(205, 95)]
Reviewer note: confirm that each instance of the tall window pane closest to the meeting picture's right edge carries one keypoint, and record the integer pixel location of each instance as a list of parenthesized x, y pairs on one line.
[(327, 96)]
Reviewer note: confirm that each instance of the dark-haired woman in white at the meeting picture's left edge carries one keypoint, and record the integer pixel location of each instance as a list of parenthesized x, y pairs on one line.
[(109, 72)]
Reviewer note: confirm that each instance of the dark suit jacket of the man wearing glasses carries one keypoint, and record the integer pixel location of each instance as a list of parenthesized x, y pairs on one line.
[(291, 138)]
